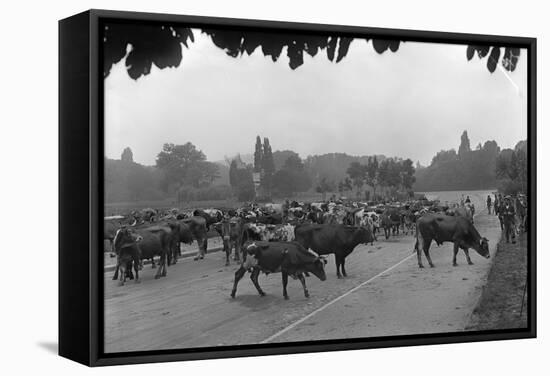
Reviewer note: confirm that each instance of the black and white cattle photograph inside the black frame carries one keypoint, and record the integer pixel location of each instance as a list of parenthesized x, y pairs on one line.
[(272, 186)]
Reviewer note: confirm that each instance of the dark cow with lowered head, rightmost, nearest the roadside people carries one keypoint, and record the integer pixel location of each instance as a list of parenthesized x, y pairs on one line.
[(444, 228)]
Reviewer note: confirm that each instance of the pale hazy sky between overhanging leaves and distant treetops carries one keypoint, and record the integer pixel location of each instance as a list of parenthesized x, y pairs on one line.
[(409, 104)]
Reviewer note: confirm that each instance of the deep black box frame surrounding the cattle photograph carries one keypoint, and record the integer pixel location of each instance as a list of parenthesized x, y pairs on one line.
[(81, 190)]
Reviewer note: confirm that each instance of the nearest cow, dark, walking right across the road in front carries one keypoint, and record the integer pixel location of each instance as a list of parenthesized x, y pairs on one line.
[(288, 258)]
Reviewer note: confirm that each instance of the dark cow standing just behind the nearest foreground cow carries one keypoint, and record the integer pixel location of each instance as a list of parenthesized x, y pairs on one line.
[(338, 239)]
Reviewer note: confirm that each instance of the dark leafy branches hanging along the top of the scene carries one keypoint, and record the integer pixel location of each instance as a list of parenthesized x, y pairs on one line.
[(161, 45)]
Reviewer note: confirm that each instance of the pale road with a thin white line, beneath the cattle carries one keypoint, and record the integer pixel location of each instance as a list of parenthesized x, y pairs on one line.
[(191, 307)]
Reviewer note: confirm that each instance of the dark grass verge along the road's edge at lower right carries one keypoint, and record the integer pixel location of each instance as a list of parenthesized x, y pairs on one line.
[(500, 303)]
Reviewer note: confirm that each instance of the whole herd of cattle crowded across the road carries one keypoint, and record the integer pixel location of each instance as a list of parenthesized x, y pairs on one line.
[(290, 238)]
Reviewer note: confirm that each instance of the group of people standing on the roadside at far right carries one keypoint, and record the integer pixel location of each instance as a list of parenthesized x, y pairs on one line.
[(512, 212)]
